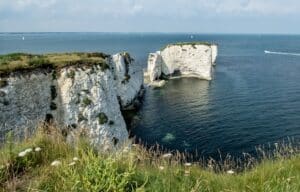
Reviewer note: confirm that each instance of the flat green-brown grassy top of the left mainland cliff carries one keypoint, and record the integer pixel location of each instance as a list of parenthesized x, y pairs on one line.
[(24, 61)]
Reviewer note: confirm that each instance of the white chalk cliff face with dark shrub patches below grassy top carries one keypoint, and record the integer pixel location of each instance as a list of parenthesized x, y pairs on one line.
[(86, 97)]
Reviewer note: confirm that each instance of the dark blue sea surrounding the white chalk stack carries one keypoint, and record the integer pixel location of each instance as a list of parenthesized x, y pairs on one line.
[(253, 99)]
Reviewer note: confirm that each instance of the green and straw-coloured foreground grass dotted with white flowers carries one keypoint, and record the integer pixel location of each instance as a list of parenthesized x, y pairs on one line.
[(80, 168)]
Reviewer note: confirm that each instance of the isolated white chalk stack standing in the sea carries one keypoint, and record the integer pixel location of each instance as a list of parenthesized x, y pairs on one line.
[(186, 59)]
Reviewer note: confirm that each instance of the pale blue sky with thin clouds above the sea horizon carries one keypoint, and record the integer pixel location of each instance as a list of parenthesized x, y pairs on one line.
[(175, 16)]
